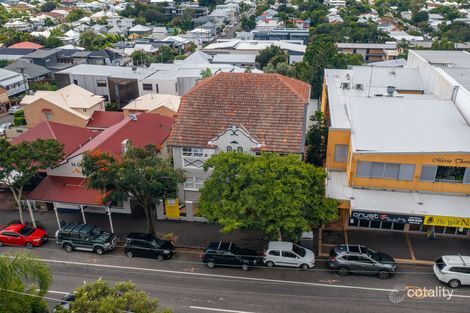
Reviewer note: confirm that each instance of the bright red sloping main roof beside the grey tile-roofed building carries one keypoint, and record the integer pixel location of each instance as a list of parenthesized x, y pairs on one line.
[(147, 129)]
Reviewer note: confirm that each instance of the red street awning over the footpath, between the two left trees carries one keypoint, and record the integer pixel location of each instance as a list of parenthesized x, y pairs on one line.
[(65, 189)]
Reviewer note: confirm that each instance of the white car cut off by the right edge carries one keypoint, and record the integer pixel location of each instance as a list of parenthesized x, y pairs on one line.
[(453, 270)]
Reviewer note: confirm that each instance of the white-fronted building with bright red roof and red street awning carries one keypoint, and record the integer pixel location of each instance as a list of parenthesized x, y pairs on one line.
[(65, 185)]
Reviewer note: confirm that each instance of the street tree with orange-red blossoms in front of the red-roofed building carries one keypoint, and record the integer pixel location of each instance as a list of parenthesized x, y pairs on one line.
[(141, 175)]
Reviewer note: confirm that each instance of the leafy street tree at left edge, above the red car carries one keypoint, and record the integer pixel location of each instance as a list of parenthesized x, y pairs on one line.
[(19, 164)]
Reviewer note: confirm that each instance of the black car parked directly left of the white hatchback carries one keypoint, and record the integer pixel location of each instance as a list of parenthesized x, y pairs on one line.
[(228, 254)]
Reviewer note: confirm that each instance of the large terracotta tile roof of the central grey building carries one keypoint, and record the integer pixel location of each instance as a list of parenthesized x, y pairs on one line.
[(271, 107)]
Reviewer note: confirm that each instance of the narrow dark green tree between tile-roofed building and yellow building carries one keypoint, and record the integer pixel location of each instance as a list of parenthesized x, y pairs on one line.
[(317, 140)]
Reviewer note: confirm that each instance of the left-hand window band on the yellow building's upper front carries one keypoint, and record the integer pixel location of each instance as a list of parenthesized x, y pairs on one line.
[(385, 170)]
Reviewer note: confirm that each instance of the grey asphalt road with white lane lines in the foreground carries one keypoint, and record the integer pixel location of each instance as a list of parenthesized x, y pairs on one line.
[(186, 285)]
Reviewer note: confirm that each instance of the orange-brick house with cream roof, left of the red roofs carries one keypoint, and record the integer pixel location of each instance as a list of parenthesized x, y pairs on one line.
[(71, 105)]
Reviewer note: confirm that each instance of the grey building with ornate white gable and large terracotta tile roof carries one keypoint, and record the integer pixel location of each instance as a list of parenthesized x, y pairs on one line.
[(242, 112)]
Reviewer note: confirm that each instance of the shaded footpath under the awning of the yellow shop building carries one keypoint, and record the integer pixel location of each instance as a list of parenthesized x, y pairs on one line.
[(409, 248)]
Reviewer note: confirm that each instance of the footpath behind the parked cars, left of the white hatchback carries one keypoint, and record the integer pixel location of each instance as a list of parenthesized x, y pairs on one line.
[(195, 235)]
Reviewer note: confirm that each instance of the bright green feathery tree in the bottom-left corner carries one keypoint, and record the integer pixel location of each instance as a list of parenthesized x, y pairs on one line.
[(23, 283)]
